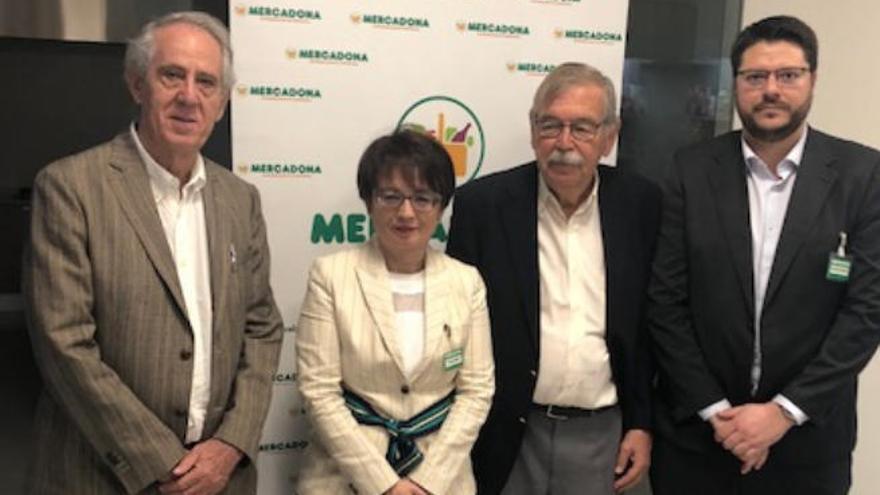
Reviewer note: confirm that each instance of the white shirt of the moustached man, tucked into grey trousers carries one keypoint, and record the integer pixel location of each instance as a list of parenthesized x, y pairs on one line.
[(575, 367)]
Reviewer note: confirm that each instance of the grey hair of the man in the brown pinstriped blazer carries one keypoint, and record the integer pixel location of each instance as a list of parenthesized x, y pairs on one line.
[(141, 48)]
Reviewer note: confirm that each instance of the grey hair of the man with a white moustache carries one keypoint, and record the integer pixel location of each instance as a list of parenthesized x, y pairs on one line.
[(568, 75)]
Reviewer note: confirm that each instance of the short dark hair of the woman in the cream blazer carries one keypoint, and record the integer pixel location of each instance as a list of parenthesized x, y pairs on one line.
[(415, 155)]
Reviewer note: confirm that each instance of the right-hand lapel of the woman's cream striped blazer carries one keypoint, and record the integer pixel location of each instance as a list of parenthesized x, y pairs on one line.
[(437, 309)]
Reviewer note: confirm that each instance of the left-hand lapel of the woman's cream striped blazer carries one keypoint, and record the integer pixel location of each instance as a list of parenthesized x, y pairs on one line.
[(374, 284)]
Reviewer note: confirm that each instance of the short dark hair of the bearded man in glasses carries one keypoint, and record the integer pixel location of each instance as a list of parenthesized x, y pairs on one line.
[(777, 28)]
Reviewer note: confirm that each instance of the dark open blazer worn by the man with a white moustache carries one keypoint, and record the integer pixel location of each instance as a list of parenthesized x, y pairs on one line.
[(494, 227)]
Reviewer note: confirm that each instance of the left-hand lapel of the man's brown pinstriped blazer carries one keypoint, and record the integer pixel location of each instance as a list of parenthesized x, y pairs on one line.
[(131, 185)]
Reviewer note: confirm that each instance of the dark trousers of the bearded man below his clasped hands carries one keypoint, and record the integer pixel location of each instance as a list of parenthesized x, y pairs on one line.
[(676, 471)]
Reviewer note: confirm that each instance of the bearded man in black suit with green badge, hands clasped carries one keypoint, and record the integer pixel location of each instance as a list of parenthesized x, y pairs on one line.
[(765, 300)]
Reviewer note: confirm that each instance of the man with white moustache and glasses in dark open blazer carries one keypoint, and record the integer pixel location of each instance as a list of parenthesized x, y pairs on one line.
[(564, 246)]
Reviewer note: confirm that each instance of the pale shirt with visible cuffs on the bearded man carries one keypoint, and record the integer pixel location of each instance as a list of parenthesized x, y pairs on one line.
[(769, 194)]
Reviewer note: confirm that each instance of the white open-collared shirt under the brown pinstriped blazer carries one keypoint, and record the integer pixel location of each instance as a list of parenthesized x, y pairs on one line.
[(182, 212)]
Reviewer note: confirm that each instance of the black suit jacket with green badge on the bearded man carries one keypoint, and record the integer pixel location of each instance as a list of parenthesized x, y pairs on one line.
[(816, 334)]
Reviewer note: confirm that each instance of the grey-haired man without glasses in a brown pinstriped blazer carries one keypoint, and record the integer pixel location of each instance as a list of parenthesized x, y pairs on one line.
[(147, 290)]
